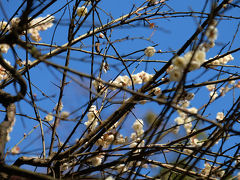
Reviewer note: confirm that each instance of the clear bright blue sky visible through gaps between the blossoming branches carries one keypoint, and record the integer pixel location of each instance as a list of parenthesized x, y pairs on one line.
[(171, 35)]
